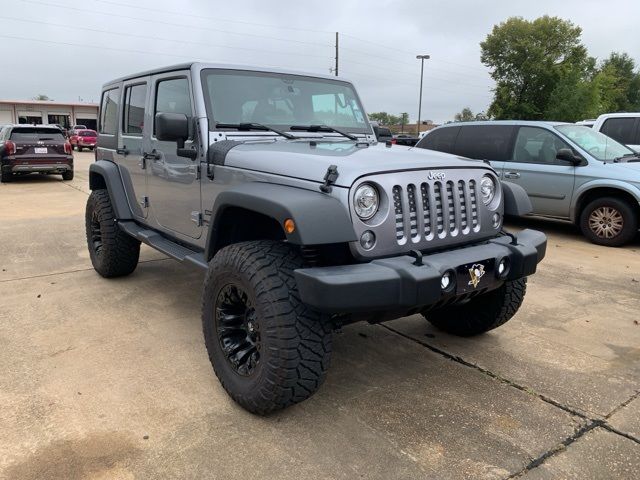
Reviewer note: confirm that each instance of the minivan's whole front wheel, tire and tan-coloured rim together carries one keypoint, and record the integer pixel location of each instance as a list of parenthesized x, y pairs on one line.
[(609, 221)]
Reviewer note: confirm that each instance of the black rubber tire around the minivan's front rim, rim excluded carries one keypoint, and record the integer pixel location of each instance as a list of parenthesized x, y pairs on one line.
[(629, 216)]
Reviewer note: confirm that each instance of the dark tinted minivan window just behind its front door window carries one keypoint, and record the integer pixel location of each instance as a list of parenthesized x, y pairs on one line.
[(485, 142)]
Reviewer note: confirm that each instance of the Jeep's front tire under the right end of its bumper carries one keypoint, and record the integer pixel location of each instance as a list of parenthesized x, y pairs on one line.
[(482, 313)]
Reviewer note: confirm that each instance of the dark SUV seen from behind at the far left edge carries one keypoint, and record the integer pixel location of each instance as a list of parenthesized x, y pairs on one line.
[(41, 148)]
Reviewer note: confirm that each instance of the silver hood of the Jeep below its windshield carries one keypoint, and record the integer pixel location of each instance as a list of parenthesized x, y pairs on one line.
[(309, 160)]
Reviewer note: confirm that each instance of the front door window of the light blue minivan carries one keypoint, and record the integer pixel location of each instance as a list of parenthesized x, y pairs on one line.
[(537, 145)]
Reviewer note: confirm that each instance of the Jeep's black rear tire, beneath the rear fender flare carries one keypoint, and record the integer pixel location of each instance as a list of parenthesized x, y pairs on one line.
[(117, 254)]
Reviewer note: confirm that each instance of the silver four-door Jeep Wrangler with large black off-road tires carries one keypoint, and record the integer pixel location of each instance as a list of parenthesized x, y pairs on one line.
[(273, 182)]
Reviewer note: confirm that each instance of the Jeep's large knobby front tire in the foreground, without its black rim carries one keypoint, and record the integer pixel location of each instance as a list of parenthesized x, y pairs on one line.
[(295, 340)]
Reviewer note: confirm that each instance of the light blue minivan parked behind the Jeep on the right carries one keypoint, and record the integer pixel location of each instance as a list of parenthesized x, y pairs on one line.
[(569, 171)]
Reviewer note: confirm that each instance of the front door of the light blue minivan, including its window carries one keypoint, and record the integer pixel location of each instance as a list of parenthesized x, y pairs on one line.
[(548, 182)]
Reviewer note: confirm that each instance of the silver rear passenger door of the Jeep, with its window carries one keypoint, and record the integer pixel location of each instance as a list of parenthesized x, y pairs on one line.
[(132, 128)]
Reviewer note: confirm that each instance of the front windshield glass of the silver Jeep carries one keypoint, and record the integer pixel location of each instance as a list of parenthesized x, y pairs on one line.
[(282, 101)]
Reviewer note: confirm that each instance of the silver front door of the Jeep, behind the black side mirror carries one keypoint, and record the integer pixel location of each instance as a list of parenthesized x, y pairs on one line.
[(173, 182)]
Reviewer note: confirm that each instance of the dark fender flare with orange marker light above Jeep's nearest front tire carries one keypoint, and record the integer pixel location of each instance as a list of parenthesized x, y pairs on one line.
[(319, 218)]
